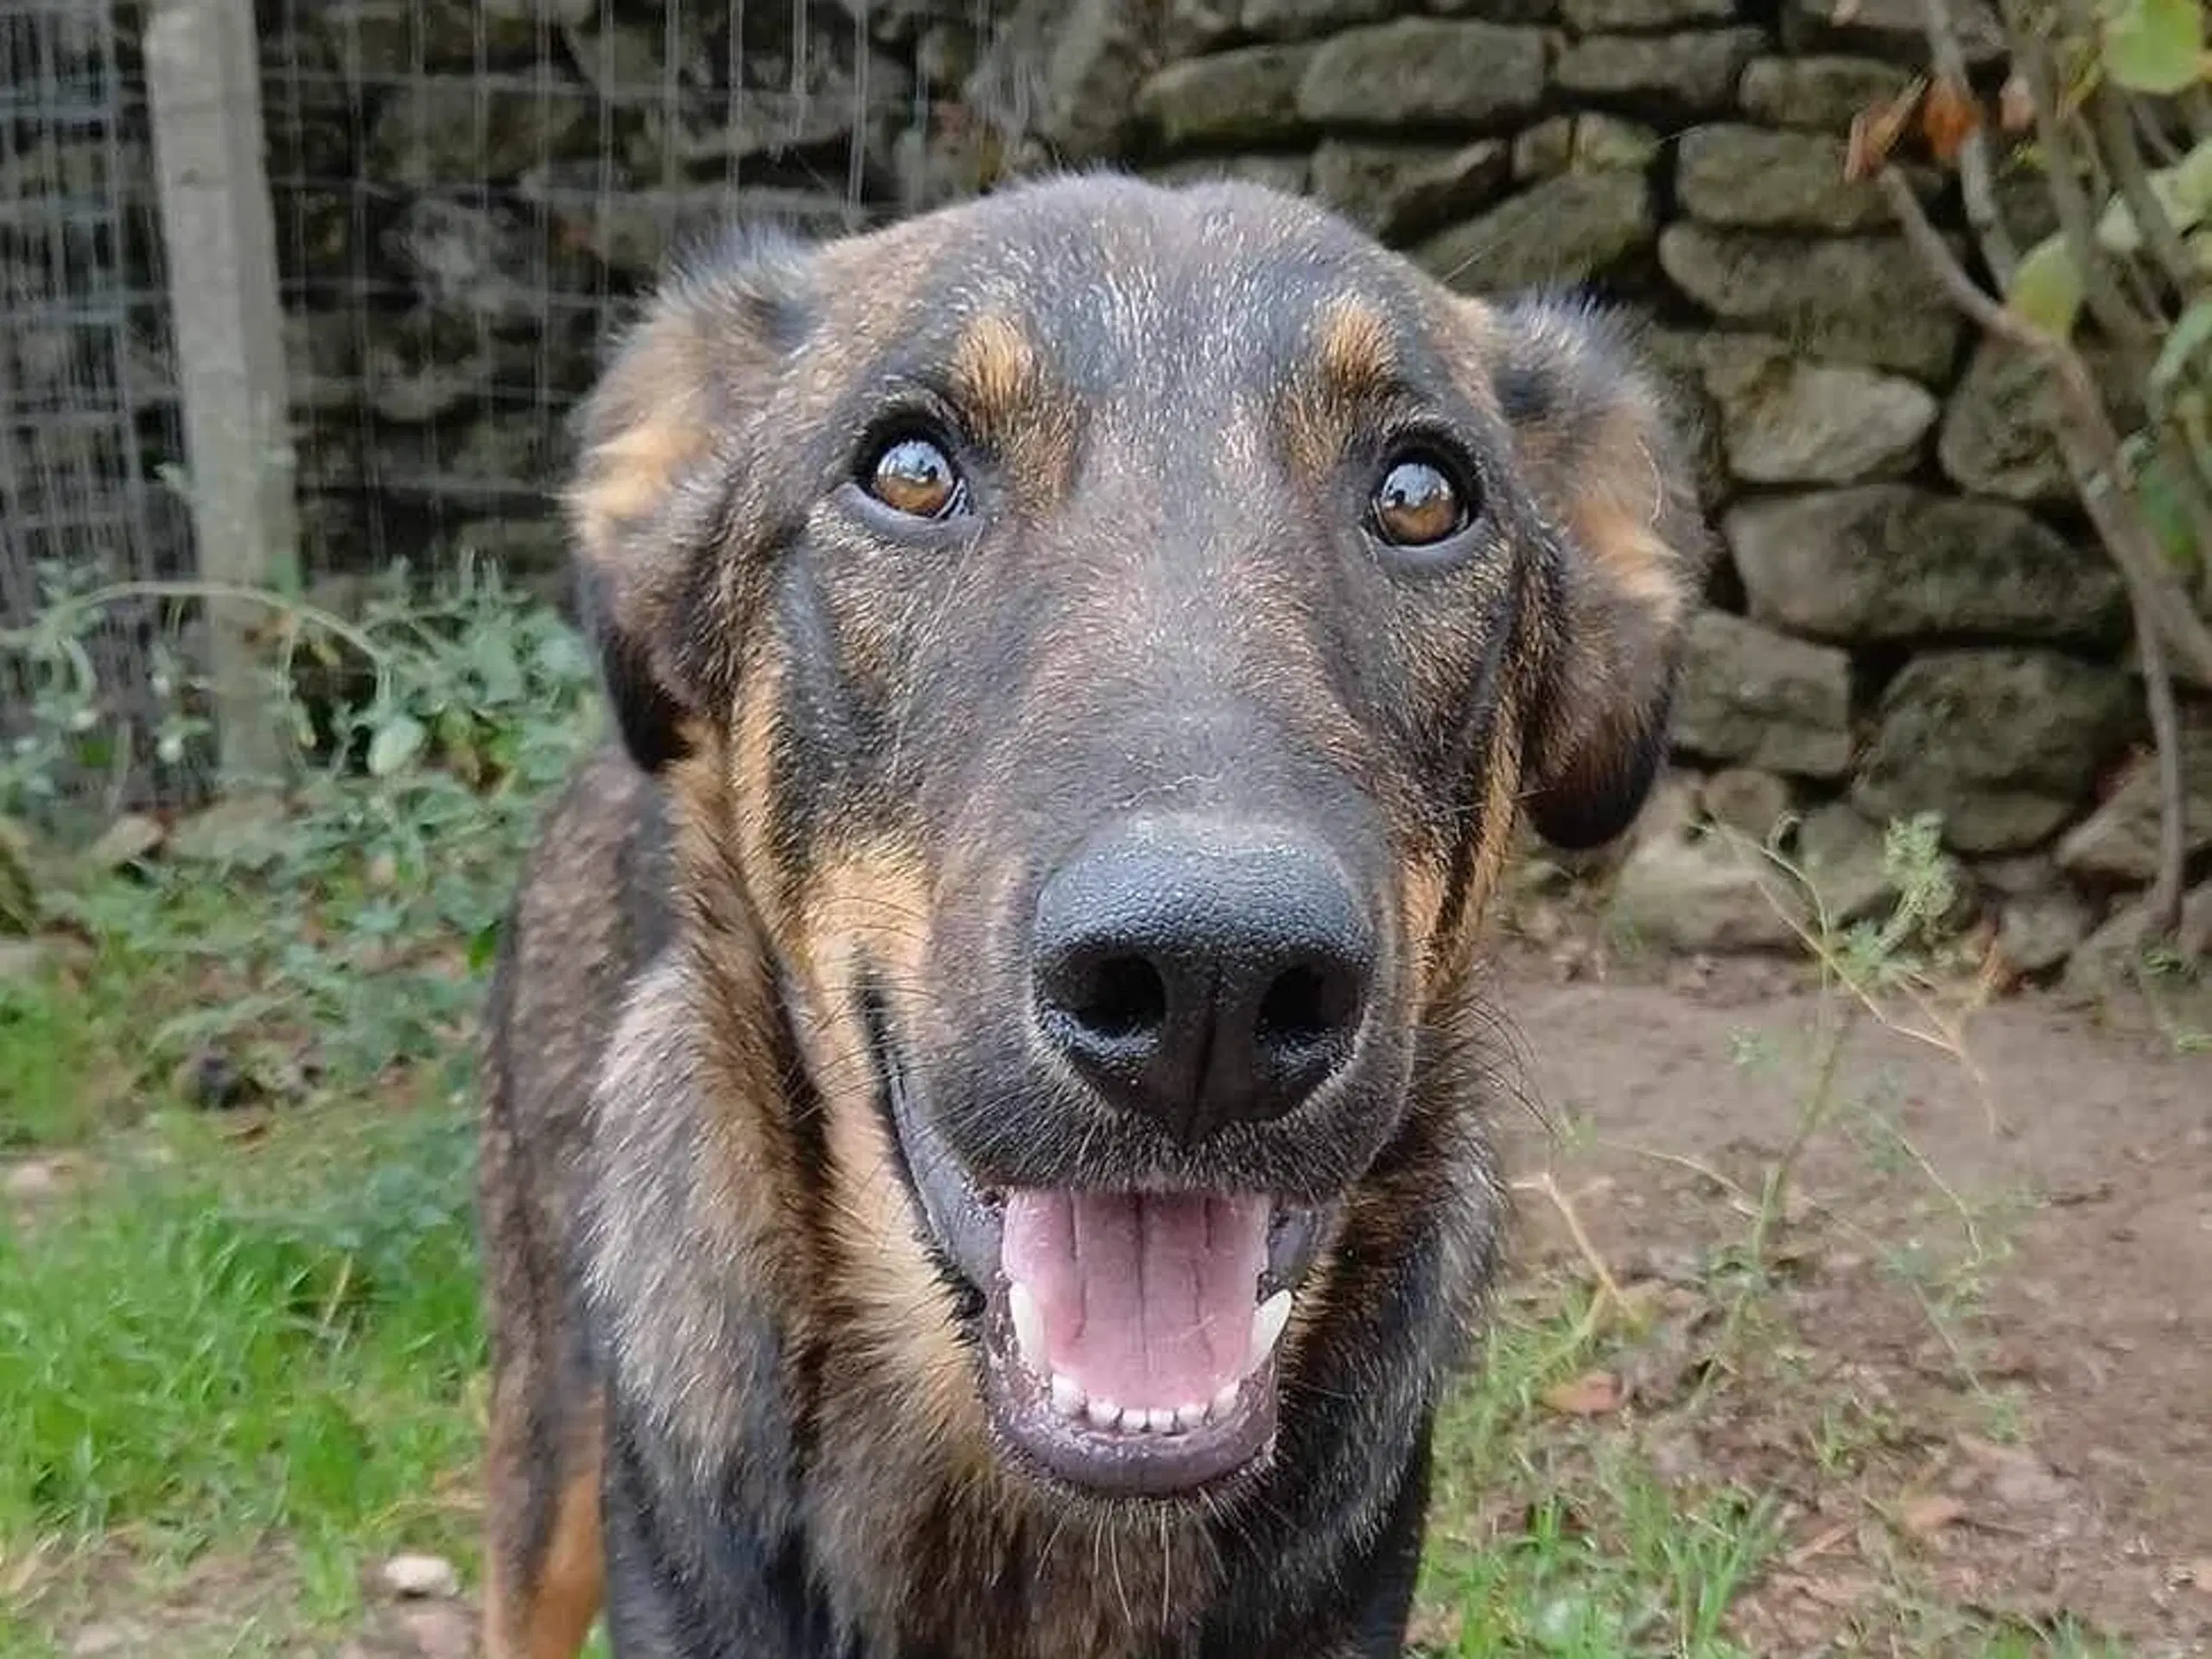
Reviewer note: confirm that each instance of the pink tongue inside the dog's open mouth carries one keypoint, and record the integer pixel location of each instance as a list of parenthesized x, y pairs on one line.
[(1147, 1297)]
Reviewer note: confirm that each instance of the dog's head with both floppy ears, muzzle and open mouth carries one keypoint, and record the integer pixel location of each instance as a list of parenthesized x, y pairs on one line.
[(1107, 636)]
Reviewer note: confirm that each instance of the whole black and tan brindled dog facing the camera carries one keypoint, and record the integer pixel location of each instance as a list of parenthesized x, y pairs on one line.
[(985, 1147)]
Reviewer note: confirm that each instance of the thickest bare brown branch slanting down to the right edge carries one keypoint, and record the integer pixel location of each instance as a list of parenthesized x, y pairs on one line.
[(2085, 432)]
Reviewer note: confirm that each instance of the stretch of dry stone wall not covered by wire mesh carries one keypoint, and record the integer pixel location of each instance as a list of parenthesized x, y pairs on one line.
[(1912, 616)]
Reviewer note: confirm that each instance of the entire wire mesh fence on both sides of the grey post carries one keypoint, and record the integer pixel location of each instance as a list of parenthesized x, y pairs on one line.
[(468, 198)]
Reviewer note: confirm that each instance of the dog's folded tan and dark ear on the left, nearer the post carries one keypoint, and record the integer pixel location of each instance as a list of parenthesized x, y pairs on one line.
[(658, 501)]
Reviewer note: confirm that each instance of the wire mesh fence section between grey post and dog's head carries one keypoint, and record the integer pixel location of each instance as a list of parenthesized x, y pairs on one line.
[(468, 191)]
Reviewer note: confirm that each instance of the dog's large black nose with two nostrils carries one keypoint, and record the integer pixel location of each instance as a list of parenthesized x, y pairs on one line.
[(1202, 981)]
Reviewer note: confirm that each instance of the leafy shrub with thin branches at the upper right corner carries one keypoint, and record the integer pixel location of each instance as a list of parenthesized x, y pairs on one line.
[(2109, 103)]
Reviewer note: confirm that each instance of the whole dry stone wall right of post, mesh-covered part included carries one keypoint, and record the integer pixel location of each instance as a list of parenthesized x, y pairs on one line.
[(1910, 614)]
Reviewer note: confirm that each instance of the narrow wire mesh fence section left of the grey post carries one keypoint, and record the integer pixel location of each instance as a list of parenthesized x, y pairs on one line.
[(87, 413)]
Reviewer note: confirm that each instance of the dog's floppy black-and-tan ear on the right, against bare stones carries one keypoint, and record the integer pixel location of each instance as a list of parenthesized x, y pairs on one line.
[(1609, 466)]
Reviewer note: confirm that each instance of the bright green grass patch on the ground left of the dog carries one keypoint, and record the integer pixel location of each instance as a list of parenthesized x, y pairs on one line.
[(220, 1344)]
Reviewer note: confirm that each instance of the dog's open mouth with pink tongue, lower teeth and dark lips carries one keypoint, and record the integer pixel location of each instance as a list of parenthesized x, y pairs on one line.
[(1129, 1342)]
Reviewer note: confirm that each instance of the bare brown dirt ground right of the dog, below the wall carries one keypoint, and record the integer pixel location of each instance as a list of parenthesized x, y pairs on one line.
[(2094, 1191)]
